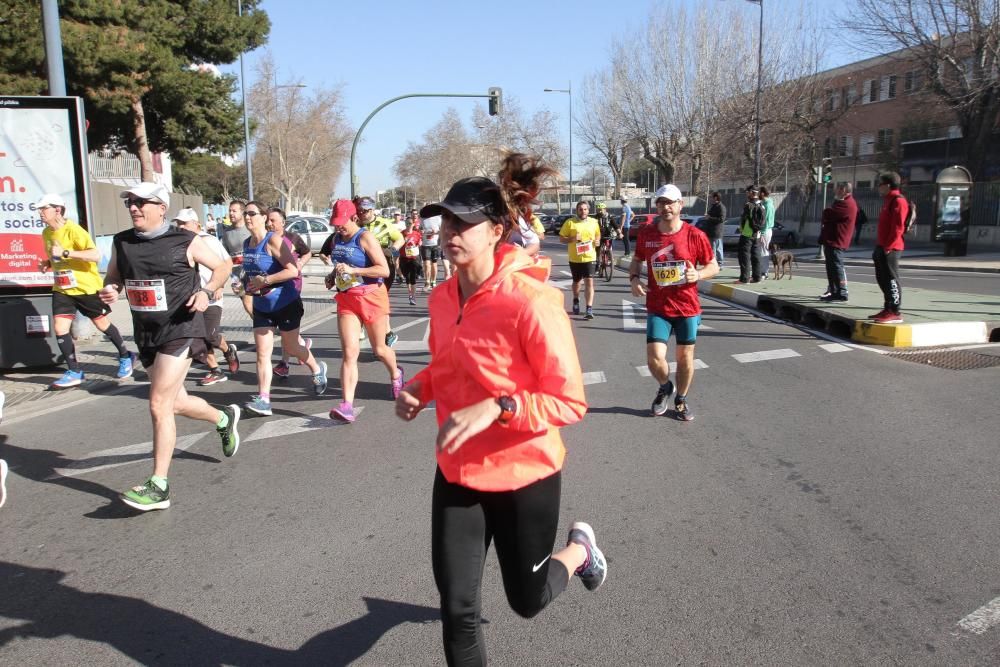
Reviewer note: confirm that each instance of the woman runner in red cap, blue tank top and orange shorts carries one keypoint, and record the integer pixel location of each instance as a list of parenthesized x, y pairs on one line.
[(359, 266)]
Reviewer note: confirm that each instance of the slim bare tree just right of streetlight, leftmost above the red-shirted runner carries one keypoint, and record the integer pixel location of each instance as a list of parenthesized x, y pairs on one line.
[(601, 125)]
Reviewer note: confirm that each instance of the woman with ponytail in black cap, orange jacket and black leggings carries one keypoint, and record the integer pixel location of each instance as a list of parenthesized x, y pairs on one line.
[(505, 376)]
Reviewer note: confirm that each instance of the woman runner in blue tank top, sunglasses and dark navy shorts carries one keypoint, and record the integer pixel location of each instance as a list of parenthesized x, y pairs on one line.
[(272, 276)]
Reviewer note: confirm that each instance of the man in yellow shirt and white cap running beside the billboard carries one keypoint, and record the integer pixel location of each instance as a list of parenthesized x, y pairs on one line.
[(72, 258)]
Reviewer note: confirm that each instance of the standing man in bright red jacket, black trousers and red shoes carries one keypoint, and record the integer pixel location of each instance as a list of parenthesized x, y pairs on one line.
[(889, 246)]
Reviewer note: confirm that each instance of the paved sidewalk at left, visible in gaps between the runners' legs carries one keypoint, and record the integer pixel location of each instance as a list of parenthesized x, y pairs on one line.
[(29, 390)]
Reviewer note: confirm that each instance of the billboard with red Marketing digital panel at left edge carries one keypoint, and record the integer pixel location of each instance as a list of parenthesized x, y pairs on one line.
[(42, 150)]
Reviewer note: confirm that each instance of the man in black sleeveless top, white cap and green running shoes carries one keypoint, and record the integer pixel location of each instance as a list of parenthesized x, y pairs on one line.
[(156, 264)]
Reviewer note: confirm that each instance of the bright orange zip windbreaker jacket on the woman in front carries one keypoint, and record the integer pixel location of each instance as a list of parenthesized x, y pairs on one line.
[(512, 338)]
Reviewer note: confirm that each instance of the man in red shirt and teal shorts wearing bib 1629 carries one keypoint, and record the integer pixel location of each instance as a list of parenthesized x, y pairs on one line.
[(677, 256)]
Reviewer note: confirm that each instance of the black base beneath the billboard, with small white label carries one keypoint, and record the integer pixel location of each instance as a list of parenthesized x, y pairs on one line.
[(27, 335)]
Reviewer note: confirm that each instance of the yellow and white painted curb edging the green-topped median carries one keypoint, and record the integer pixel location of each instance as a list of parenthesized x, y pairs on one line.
[(924, 334)]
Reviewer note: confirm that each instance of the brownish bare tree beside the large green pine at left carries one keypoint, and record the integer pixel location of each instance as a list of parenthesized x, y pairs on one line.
[(302, 137)]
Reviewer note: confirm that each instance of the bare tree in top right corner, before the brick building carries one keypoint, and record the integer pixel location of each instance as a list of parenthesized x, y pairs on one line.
[(957, 44)]
